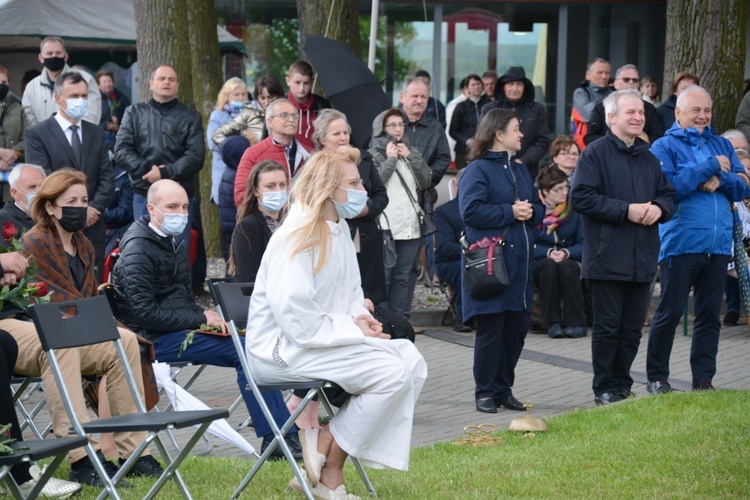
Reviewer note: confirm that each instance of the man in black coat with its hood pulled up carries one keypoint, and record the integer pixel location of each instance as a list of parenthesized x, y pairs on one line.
[(516, 92)]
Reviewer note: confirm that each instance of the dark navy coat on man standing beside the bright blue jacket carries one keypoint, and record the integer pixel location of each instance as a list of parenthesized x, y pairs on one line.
[(608, 178)]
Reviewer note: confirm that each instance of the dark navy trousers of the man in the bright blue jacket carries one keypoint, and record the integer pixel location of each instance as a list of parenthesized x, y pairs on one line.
[(707, 275)]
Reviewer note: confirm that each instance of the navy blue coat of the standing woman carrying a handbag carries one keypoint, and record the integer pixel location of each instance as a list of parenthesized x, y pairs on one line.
[(489, 186)]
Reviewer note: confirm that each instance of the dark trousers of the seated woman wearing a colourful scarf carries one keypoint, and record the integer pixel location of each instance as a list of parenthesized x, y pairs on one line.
[(563, 277)]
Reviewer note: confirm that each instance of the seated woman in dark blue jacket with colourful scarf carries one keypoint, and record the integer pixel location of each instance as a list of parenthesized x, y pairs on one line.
[(557, 258)]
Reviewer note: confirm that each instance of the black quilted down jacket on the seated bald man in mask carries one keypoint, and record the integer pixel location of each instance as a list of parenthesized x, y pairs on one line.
[(153, 285)]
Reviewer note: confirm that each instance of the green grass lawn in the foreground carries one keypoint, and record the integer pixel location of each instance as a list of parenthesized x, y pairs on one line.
[(683, 445)]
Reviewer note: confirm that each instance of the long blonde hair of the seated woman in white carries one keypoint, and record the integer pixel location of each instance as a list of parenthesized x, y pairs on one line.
[(311, 190)]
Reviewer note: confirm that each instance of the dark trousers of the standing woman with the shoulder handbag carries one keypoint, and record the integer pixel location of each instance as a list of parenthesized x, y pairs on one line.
[(497, 347)]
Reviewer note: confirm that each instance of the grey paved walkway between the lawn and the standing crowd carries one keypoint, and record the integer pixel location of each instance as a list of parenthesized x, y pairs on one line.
[(553, 374)]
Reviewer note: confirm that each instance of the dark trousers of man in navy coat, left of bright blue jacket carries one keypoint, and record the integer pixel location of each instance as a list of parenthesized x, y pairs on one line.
[(620, 309)]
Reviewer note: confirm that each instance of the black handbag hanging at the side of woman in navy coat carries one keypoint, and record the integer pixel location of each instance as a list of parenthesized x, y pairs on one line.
[(484, 267)]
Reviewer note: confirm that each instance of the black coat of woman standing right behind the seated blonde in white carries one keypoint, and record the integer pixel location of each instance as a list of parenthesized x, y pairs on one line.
[(370, 256)]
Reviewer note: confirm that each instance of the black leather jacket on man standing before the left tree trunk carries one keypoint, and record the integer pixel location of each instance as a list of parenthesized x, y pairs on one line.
[(169, 134)]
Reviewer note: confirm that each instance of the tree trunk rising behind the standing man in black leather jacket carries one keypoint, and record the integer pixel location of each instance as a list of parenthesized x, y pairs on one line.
[(162, 38)]
